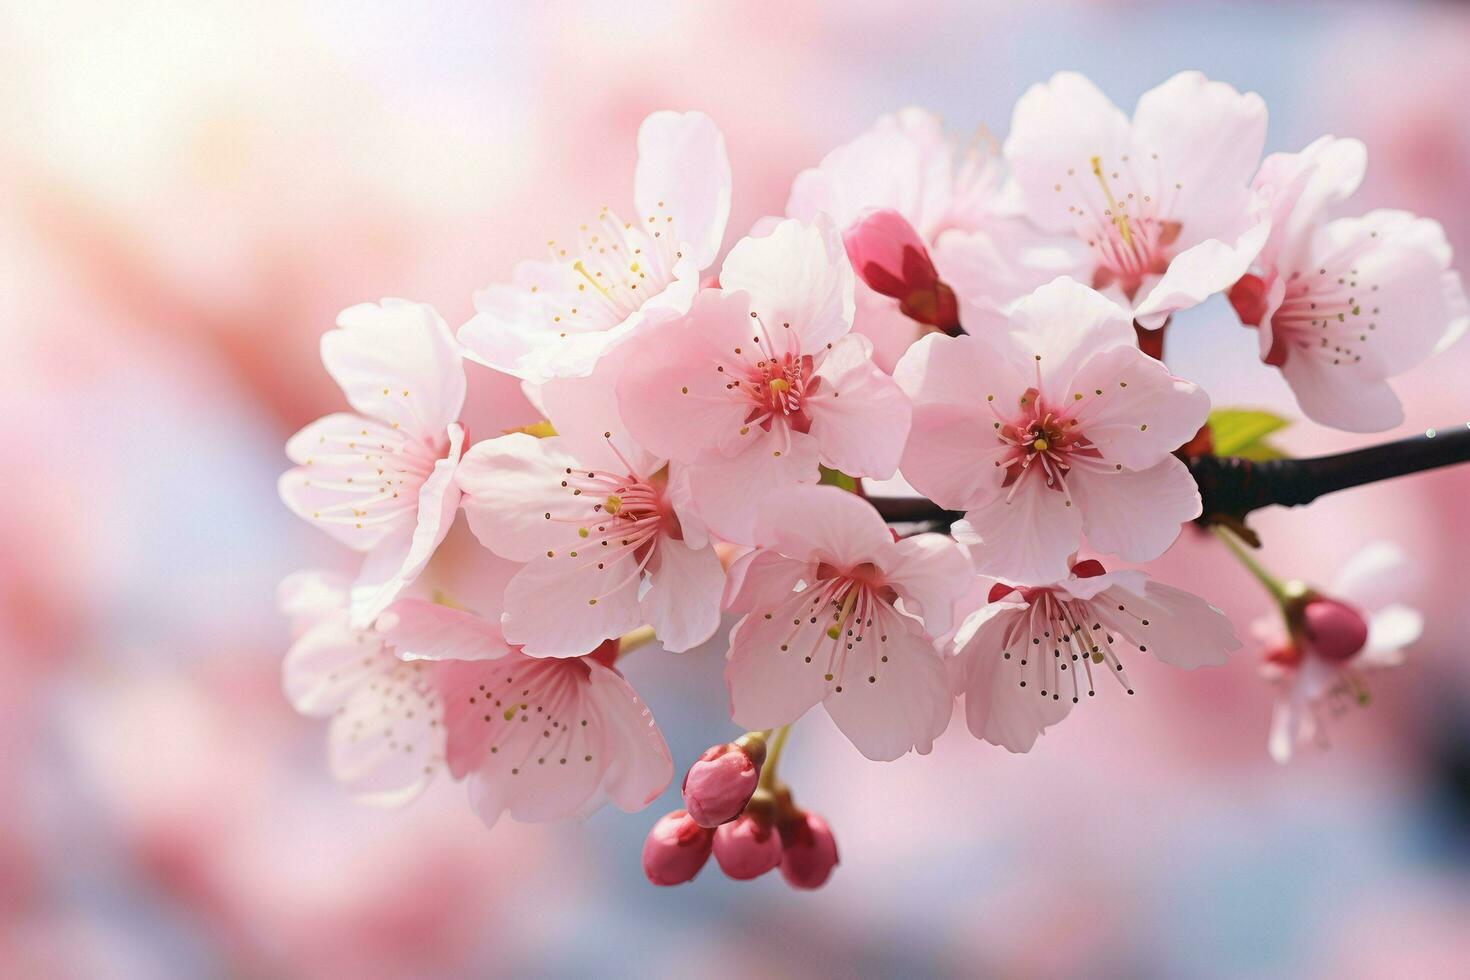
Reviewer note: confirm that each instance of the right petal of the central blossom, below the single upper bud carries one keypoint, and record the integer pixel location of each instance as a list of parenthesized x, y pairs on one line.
[(859, 415)]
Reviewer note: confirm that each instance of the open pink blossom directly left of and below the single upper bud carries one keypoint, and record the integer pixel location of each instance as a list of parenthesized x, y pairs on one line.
[(762, 380)]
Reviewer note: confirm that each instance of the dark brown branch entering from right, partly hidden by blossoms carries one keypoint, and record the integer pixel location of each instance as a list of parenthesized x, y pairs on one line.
[(1233, 489)]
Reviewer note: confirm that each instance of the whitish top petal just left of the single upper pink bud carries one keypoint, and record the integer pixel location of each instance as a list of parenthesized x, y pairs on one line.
[(799, 275)]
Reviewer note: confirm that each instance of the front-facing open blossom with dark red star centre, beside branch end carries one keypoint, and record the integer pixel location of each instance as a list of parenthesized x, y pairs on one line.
[(1066, 430)]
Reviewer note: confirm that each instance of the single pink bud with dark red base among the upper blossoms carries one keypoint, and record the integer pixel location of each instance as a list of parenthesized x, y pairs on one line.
[(889, 255)]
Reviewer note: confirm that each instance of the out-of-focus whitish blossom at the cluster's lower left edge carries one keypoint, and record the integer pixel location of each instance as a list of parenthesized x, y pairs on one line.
[(386, 740)]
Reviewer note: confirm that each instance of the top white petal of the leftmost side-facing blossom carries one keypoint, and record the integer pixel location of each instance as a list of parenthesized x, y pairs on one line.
[(399, 364)]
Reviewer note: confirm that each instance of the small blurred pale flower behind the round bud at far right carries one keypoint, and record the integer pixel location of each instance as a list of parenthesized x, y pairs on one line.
[(1311, 688)]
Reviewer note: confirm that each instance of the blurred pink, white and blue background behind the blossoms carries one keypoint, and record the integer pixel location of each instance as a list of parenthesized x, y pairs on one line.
[(190, 190)]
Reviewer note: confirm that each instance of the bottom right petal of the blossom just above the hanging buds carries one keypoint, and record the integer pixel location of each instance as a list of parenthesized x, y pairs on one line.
[(902, 705)]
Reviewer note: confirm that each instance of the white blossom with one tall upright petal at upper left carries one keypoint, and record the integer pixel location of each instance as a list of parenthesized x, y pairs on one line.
[(564, 312)]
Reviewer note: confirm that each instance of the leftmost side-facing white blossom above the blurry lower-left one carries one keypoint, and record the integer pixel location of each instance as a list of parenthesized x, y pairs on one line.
[(383, 481)]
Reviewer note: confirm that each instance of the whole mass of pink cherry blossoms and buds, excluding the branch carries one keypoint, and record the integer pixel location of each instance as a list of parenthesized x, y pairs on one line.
[(681, 444)]
